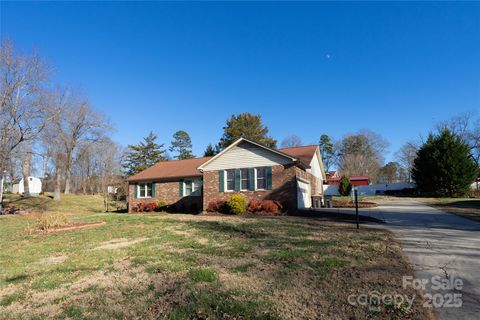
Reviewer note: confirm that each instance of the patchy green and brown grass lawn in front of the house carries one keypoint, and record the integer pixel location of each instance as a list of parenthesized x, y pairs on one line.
[(193, 267)]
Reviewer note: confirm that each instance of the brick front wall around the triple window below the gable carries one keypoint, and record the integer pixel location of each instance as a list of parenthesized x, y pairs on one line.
[(284, 188)]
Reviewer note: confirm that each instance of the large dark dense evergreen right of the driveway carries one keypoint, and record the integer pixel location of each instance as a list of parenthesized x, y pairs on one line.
[(444, 166)]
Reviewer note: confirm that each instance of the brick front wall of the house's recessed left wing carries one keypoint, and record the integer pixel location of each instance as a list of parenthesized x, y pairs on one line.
[(167, 191)]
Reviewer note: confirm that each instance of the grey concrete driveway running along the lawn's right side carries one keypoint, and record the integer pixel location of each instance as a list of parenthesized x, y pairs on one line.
[(438, 244)]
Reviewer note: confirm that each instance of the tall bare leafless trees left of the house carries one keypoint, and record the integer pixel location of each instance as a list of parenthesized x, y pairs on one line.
[(51, 129)]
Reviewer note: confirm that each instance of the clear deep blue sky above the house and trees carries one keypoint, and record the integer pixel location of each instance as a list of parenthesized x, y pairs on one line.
[(308, 68)]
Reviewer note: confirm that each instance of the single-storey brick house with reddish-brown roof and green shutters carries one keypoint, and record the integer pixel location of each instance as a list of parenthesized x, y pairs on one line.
[(291, 176)]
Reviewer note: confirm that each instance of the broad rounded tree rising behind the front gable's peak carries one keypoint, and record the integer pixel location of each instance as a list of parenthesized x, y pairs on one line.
[(248, 126)]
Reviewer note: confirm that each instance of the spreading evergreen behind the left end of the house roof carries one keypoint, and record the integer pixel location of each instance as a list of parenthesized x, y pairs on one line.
[(143, 155)]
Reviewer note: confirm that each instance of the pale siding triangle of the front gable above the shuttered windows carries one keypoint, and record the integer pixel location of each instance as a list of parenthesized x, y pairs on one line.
[(246, 155)]
